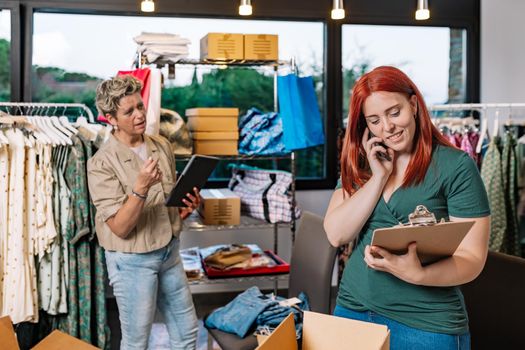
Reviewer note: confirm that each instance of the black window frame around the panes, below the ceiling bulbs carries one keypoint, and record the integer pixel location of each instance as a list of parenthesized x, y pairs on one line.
[(445, 13)]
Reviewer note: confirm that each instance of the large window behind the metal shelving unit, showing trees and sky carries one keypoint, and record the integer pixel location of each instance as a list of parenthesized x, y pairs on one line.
[(72, 53)]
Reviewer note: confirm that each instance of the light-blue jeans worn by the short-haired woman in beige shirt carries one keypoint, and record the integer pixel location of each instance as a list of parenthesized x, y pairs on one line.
[(144, 282)]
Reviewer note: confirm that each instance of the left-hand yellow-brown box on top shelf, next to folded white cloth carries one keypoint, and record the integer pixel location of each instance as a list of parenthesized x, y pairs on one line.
[(222, 47)]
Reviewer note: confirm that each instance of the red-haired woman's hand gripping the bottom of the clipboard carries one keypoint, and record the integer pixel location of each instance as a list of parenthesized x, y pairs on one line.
[(406, 267)]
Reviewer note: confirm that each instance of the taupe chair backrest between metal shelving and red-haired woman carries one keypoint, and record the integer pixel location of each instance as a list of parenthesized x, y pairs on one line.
[(312, 263)]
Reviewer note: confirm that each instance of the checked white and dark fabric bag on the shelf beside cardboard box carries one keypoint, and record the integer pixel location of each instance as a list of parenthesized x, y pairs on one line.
[(265, 194)]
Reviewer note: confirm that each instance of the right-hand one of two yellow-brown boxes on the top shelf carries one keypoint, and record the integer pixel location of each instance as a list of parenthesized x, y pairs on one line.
[(261, 47)]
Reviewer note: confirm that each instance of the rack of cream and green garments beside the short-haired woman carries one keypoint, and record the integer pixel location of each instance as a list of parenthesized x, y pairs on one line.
[(48, 222)]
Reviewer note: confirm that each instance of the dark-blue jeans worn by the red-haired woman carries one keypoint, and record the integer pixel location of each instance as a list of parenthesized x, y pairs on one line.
[(403, 337)]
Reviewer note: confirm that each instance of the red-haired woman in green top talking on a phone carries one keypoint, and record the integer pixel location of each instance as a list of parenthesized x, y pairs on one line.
[(394, 159)]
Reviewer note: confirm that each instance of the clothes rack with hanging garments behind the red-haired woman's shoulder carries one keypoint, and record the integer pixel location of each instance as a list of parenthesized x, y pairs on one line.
[(498, 146)]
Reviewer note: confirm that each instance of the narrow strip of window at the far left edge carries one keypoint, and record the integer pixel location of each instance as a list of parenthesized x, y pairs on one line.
[(5, 57)]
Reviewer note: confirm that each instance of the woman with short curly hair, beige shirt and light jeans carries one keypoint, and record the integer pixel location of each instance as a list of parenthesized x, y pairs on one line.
[(129, 178)]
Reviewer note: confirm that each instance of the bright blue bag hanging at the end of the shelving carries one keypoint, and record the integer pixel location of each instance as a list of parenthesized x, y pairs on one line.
[(302, 123)]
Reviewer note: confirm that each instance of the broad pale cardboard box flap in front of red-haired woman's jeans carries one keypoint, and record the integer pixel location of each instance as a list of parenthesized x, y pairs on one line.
[(329, 332)]
